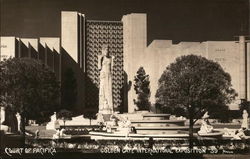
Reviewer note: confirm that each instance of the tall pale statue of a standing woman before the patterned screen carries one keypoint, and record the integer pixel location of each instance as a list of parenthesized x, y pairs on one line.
[(105, 64)]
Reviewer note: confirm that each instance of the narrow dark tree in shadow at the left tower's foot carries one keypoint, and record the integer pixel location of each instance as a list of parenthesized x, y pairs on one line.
[(69, 90)]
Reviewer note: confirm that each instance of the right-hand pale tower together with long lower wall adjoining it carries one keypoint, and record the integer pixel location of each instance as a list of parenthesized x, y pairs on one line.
[(232, 56)]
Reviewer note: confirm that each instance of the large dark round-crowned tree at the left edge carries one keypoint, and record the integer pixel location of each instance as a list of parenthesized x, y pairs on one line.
[(29, 88)]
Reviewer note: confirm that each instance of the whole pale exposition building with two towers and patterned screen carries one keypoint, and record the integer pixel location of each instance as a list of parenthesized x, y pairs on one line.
[(81, 41)]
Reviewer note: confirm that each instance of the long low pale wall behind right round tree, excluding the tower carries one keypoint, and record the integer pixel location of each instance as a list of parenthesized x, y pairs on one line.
[(160, 53)]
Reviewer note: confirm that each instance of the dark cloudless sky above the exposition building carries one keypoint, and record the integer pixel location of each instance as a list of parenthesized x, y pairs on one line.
[(180, 20)]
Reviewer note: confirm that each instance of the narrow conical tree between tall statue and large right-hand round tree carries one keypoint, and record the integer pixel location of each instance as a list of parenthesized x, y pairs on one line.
[(142, 90)]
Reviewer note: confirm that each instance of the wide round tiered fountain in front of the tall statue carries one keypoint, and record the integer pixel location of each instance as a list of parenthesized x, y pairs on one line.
[(148, 125)]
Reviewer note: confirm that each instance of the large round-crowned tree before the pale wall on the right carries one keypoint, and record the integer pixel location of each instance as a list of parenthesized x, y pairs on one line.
[(196, 85)]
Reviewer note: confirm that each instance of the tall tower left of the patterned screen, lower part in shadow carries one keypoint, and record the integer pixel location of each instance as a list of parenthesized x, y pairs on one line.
[(73, 53)]
